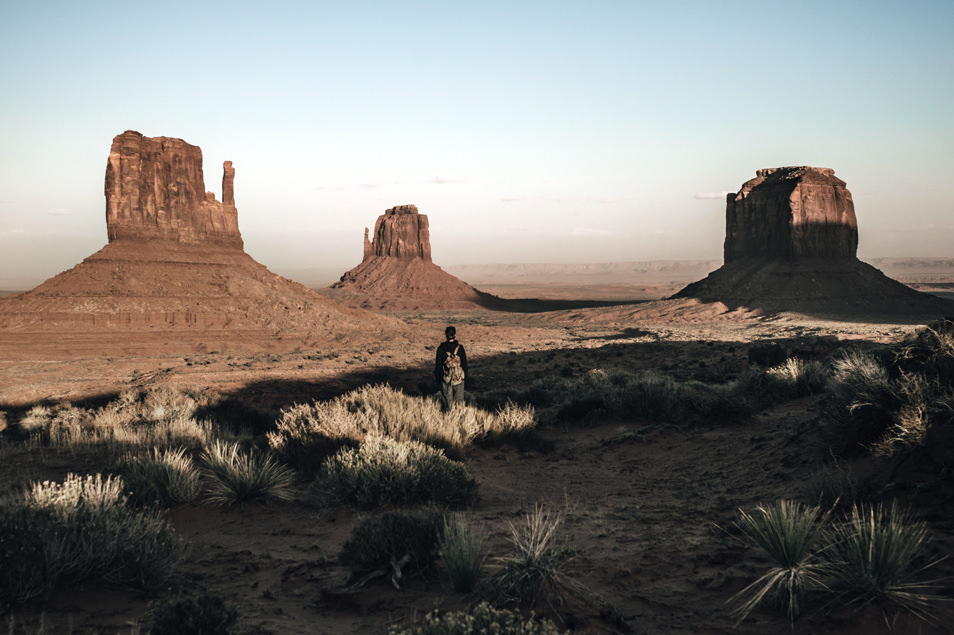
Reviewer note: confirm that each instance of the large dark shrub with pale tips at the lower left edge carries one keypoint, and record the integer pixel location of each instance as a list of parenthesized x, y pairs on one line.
[(82, 530)]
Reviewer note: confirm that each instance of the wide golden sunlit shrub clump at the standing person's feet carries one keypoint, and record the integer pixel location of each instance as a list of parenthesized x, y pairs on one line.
[(307, 434)]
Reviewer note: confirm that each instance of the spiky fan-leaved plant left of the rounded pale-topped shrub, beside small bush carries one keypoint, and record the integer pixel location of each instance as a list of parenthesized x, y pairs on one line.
[(236, 476)]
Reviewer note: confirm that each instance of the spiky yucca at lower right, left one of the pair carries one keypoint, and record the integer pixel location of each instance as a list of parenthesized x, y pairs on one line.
[(788, 532)]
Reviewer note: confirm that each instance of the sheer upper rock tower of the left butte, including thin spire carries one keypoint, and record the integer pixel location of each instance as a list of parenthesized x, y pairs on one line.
[(155, 189)]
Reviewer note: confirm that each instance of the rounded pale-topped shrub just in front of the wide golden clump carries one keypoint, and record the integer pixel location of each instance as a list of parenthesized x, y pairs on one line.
[(383, 472)]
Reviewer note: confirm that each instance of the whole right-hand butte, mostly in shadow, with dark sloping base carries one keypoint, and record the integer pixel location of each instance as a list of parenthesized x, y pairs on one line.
[(791, 241)]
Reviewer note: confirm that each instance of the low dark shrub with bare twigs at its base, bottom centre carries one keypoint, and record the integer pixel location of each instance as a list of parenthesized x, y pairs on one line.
[(394, 543)]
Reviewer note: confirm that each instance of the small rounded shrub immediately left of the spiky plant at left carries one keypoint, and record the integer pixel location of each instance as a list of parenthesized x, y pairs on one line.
[(165, 478)]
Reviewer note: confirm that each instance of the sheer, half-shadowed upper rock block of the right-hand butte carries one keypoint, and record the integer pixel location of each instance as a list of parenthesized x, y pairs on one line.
[(791, 213)]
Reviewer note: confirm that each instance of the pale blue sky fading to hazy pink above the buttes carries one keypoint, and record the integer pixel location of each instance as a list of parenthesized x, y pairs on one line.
[(567, 132)]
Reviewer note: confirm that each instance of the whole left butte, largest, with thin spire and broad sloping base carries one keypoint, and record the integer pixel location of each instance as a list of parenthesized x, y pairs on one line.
[(174, 276)]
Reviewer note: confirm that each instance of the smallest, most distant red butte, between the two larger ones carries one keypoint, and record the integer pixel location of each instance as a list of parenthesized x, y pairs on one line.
[(397, 272)]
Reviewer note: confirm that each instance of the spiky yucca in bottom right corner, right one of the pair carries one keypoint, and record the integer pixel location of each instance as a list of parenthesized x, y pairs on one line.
[(876, 557)]
